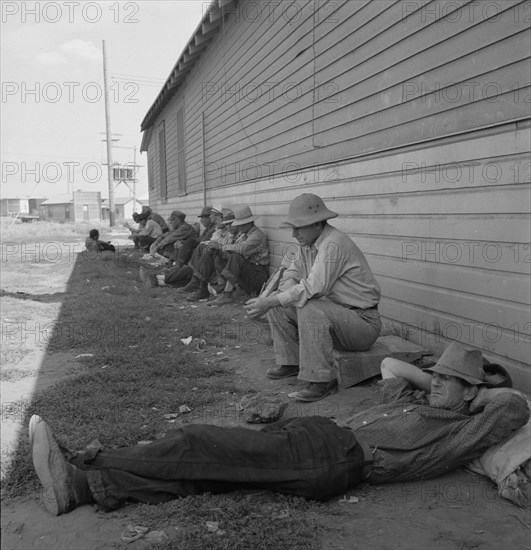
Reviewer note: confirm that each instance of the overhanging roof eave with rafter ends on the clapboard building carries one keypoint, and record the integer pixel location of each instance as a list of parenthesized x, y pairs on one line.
[(201, 38)]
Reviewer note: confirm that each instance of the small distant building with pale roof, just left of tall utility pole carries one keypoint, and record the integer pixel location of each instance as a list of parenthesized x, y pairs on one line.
[(75, 207)]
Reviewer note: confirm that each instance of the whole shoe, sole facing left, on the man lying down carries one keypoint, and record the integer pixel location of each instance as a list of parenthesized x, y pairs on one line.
[(64, 486)]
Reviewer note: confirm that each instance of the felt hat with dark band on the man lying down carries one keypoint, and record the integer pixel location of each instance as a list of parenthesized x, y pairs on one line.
[(461, 363)]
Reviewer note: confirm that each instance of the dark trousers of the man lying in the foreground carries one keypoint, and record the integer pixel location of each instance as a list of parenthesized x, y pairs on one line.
[(309, 456)]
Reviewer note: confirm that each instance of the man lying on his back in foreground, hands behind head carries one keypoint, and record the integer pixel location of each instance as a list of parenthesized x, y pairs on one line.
[(411, 436)]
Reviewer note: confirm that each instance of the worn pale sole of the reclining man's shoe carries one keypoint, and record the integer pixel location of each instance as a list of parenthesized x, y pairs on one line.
[(50, 466)]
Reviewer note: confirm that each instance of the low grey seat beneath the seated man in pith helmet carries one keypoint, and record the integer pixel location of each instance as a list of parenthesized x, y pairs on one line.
[(354, 367)]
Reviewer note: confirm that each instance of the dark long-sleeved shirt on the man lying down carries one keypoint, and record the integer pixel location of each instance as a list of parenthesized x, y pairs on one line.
[(413, 440)]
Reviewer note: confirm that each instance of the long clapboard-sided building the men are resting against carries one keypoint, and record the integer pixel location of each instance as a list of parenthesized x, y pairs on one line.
[(410, 118)]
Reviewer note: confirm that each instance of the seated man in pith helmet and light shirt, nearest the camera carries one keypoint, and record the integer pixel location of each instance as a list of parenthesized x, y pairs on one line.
[(332, 301)]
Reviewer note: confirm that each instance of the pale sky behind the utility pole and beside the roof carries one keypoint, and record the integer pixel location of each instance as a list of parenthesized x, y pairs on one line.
[(52, 105)]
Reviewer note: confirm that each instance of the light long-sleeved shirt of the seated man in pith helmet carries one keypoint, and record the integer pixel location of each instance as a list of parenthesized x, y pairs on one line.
[(333, 268)]
